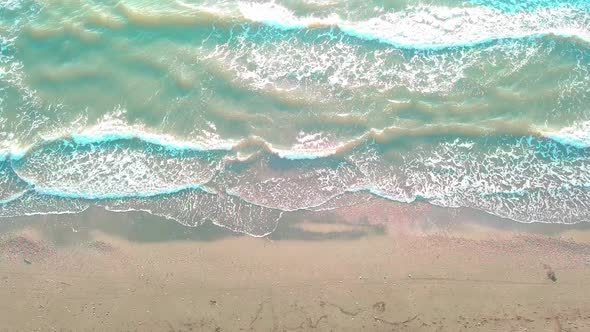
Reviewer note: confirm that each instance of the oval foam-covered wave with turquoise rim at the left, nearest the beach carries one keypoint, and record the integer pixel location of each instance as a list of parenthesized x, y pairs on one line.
[(113, 169)]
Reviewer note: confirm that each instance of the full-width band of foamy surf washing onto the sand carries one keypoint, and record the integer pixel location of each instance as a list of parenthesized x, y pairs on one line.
[(484, 172)]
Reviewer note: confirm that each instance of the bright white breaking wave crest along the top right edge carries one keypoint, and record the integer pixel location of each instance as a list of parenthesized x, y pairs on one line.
[(431, 27)]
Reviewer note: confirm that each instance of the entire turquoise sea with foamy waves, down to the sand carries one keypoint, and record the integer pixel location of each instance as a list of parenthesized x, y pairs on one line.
[(240, 111)]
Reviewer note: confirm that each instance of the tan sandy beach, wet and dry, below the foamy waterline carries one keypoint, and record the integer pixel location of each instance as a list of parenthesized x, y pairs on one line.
[(380, 266)]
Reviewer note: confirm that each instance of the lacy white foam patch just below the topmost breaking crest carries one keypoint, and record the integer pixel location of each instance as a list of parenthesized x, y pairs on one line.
[(322, 69)]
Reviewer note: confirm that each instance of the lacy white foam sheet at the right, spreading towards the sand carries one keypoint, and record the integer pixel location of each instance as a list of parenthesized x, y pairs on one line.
[(531, 180)]
